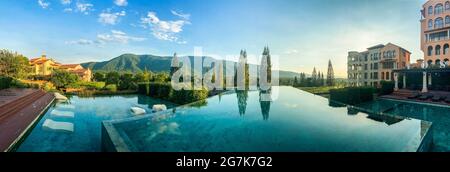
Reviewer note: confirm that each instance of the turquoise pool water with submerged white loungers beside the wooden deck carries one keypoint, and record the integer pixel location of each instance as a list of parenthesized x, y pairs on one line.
[(86, 115)]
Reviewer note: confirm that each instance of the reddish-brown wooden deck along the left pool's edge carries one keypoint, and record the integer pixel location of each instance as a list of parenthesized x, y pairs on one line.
[(19, 109)]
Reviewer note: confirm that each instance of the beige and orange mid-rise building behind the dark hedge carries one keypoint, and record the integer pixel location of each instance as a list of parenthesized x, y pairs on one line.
[(370, 67)]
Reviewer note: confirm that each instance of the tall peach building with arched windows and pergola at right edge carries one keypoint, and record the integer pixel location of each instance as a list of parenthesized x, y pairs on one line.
[(433, 72)]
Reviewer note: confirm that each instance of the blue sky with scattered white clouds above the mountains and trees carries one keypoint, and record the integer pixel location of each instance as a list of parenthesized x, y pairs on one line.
[(303, 33)]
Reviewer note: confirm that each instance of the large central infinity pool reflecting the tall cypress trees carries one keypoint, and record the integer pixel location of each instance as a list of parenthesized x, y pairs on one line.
[(239, 122)]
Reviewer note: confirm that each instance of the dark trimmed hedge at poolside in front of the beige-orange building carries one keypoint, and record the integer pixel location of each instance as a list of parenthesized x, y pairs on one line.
[(352, 95)]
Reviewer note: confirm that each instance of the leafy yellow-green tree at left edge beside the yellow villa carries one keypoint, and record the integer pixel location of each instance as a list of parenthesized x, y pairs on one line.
[(13, 64)]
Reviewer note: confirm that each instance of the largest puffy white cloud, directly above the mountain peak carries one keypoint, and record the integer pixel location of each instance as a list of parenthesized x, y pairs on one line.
[(164, 30)]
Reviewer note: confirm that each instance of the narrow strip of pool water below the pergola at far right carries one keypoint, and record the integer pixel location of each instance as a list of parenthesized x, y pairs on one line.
[(440, 116)]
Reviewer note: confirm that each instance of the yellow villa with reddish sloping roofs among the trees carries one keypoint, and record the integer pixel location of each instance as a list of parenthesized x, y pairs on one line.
[(43, 66)]
